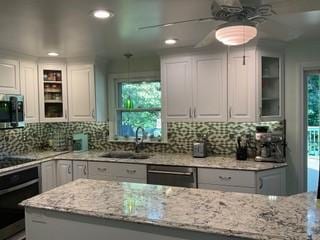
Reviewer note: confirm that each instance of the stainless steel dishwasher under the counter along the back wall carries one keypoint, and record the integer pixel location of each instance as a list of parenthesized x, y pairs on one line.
[(172, 176)]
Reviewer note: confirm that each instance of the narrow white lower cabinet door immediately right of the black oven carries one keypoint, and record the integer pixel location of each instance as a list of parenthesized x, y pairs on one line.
[(48, 175)]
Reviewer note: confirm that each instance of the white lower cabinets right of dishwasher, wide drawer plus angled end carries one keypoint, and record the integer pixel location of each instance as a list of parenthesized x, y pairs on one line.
[(268, 182)]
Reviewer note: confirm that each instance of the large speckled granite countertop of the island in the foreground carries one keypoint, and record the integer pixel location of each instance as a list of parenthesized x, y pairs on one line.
[(232, 214)]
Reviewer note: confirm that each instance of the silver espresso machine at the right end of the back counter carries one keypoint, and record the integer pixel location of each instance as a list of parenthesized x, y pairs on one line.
[(270, 147)]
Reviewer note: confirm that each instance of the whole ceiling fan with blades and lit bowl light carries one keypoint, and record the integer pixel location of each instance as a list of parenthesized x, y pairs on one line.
[(241, 19)]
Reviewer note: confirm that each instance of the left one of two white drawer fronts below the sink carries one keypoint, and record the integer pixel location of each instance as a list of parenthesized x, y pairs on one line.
[(100, 170)]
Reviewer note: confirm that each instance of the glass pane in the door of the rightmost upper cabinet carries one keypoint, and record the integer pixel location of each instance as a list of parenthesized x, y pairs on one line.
[(271, 87)]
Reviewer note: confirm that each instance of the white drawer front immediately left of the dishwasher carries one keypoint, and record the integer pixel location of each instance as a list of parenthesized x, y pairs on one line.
[(129, 170)]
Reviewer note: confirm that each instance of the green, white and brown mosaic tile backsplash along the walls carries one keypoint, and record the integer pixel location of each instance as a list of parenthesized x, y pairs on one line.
[(40, 136)]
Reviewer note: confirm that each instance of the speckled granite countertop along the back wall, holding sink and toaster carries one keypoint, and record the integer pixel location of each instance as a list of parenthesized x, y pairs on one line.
[(222, 162)]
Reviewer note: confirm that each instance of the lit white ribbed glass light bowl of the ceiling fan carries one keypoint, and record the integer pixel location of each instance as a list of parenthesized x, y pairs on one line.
[(233, 34)]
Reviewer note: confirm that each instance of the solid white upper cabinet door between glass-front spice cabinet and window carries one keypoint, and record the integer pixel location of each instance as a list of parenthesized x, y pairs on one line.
[(81, 93)]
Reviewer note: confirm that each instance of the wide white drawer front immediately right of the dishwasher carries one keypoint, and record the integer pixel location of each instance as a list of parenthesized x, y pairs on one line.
[(226, 177)]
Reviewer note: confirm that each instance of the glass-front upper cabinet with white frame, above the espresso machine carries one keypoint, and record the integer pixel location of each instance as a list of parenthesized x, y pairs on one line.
[(271, 88)]
